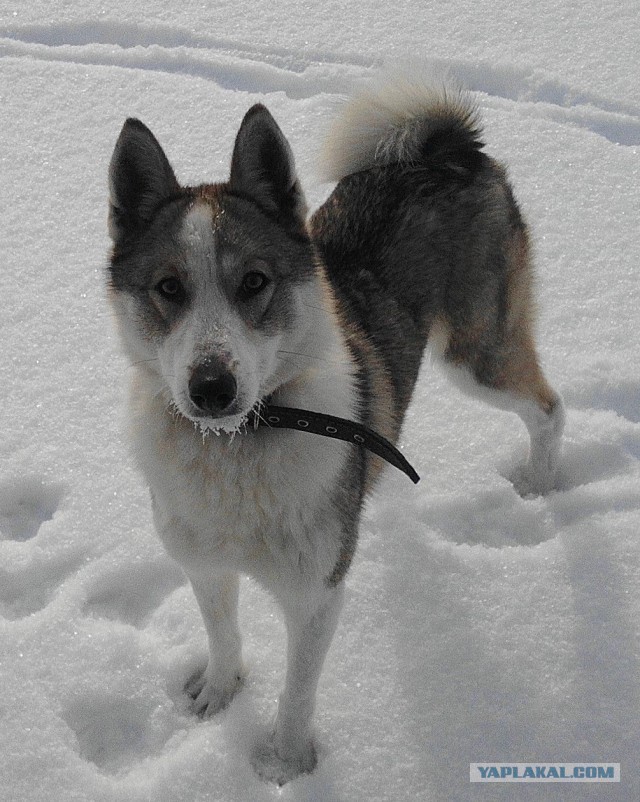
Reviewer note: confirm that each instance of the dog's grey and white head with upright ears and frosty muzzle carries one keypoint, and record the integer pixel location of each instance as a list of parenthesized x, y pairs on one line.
[(212, 285)]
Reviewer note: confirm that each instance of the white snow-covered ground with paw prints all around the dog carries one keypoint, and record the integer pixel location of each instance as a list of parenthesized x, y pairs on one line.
[(479, 626)]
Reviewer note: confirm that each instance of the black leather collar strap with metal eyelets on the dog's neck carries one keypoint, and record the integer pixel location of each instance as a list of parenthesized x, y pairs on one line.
[(303, 420)]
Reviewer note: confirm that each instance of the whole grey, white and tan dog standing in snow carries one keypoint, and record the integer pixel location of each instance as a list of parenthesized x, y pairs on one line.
[(228, 299)]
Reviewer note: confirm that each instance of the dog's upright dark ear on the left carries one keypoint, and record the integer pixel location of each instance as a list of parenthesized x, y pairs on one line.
[(140, 179)]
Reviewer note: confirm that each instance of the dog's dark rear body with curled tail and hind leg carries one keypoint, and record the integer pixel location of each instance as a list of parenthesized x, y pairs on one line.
[(423, 240)]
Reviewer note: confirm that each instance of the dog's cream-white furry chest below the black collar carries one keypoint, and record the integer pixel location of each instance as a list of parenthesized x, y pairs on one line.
[(259, 504)]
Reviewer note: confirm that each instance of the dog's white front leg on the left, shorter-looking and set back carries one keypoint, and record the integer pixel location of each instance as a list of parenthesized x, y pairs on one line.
[(213, 689)]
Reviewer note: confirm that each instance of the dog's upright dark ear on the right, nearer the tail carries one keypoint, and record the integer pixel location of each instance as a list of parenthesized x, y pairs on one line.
[(262, 168)]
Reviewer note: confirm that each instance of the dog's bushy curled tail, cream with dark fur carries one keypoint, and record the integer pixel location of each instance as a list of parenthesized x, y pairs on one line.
[(403, 119)]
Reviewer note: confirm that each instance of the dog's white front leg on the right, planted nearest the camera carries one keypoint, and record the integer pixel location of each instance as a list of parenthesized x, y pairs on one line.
[(290, 750)]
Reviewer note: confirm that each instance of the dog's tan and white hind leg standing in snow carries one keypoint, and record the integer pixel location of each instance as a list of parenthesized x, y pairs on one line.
[(484, 334)]
